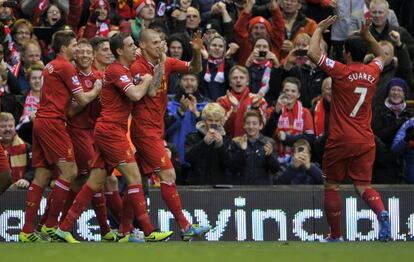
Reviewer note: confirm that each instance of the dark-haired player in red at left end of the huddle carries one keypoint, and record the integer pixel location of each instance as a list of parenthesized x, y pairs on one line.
[(51, 143)]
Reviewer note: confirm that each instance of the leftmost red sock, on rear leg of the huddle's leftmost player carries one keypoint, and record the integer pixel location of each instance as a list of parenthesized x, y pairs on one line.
[(33, 198)]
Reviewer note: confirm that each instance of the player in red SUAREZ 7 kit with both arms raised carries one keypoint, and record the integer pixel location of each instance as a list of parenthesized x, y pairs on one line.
[(350, 147)]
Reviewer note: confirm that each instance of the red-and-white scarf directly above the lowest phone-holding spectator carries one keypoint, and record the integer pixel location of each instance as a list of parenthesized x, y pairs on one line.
[(289, 128)]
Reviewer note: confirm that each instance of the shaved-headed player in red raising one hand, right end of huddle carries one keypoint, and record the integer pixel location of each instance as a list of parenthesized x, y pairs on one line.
[(147, 127)]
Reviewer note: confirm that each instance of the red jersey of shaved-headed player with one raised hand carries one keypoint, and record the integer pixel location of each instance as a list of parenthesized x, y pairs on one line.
[(149, 111)]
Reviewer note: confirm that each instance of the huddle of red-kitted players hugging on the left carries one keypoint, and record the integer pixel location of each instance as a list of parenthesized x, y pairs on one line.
[(69, 133)]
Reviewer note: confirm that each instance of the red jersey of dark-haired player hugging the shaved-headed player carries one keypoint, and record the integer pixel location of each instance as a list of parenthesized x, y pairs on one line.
[(116, 106)]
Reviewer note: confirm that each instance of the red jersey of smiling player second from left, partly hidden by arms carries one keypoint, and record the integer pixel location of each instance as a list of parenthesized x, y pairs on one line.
[(87, 117)]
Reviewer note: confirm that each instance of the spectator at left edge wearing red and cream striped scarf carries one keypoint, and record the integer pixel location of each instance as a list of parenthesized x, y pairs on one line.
[(17, 150)]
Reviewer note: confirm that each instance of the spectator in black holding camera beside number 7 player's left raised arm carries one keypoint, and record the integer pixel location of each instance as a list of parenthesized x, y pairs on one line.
[(300, 66)]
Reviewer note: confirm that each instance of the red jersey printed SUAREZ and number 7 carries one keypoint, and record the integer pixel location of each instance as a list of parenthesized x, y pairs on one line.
[(353, 87)]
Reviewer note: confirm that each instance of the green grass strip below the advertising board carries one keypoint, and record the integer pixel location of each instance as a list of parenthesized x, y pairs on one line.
[(209, 251)]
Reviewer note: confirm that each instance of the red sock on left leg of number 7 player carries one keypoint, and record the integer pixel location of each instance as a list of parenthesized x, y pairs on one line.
[(333, 208)]
